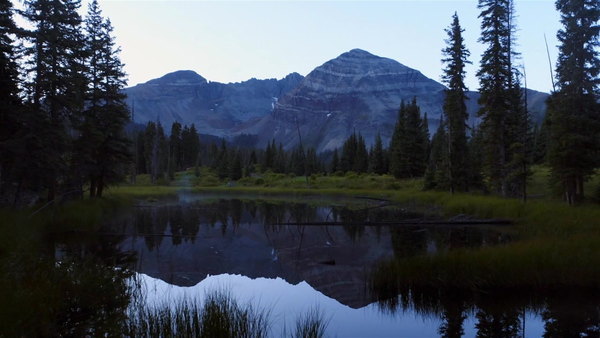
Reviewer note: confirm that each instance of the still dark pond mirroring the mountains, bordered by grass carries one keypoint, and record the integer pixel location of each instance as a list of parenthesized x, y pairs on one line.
[(290, 256)]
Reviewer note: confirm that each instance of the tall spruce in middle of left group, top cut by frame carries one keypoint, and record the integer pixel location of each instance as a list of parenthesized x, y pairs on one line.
[(54, 67)]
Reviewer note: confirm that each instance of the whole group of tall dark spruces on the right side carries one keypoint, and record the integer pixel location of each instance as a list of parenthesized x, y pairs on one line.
[(496, 155)]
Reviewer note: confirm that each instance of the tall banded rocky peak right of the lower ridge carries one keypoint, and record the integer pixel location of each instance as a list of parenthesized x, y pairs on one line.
[(355, 91)]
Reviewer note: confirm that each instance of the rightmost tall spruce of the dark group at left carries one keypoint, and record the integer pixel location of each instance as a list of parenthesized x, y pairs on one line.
[(104, 120)]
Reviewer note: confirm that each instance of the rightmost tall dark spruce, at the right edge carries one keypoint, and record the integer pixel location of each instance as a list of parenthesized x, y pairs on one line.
[(574, 119)]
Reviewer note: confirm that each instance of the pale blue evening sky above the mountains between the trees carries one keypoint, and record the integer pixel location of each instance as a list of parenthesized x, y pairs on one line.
[(229, 41)]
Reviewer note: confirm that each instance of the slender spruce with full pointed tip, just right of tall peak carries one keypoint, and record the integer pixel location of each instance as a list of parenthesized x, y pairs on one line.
[(455, 109)]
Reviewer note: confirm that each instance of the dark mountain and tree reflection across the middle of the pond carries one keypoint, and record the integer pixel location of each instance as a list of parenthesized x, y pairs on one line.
[(181, 243)]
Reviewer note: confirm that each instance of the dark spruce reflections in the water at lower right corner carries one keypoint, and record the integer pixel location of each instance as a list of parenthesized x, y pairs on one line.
[(565, 312)]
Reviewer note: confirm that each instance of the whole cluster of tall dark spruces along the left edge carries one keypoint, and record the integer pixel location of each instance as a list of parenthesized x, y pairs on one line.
[(62, 111)]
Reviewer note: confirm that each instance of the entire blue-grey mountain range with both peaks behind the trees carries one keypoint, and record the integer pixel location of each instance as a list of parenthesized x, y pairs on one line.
[(355, 91)]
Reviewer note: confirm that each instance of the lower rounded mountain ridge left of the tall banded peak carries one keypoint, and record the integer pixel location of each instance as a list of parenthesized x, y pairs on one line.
[(215, 108)]
